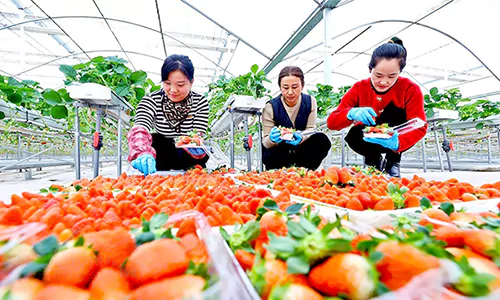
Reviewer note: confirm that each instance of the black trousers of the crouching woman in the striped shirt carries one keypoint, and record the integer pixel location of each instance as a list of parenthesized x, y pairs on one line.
[(168, 157)]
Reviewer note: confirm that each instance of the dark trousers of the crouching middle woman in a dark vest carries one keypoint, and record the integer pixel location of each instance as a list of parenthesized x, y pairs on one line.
[(309, 154)]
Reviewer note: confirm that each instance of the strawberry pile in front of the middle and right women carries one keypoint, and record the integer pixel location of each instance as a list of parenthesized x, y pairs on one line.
[(365, 190)]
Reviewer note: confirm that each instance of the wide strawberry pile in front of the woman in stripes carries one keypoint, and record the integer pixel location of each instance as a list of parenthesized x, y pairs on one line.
[(104, 203)]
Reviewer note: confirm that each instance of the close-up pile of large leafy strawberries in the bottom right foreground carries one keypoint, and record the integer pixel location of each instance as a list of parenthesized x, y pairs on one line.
[(300, 255)]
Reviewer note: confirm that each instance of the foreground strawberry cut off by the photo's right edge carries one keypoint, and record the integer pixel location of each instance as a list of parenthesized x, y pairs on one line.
[(484, 242)]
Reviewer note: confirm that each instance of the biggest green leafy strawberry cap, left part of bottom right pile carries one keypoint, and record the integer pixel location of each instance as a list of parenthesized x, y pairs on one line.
[(306, 245)]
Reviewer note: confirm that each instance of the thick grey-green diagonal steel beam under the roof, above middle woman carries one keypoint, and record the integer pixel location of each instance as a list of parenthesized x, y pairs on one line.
[(299, 34)]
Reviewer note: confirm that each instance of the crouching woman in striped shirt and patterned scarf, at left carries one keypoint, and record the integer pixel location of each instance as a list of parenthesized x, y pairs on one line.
[(168, 113)]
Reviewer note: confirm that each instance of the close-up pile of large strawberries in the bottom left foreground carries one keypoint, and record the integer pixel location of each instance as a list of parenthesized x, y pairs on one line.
[(117, 264)]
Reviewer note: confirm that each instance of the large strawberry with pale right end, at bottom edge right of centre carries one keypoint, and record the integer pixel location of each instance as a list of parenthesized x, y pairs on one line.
[(345, 274)]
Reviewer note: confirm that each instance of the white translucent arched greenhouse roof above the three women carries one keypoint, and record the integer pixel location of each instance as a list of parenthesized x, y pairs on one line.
[(450, 43)]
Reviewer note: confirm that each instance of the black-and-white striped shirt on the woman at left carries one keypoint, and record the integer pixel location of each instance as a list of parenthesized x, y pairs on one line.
[(150, 114)]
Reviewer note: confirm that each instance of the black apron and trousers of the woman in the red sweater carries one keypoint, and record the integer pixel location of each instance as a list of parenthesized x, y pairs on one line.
[(373, 152)]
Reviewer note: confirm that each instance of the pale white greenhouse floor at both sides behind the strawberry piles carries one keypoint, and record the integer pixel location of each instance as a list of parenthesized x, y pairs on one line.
[(14, 182)]
